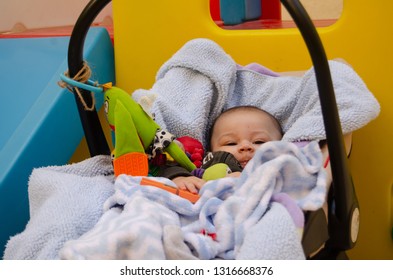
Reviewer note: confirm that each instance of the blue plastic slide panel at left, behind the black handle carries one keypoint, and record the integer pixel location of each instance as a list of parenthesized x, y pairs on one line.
[(39, 121)]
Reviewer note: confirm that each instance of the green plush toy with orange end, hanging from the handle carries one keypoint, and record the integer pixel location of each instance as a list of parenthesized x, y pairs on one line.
[(135, 131)]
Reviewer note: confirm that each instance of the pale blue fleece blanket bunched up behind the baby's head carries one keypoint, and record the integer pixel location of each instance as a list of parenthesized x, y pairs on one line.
[(203, 78)]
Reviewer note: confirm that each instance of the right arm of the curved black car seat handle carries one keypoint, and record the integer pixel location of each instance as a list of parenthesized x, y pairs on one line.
[(345, 201)]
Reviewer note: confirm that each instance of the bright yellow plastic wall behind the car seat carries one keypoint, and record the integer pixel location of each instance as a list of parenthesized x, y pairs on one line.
[(147, 33)]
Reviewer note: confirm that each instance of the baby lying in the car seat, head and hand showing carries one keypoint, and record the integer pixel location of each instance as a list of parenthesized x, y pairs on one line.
[(235, 136)]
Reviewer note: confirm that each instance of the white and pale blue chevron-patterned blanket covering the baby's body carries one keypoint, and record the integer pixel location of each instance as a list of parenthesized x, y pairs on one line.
[(143, 222)]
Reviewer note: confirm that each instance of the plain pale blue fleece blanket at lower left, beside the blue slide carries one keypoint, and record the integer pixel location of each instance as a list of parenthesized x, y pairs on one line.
[(65, 202)]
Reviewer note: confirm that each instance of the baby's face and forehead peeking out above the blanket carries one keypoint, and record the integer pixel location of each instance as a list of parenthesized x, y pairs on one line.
[(242, 132)]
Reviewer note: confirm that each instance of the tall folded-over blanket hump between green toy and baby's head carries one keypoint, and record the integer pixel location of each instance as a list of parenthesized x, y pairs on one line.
[(216, 73)]
